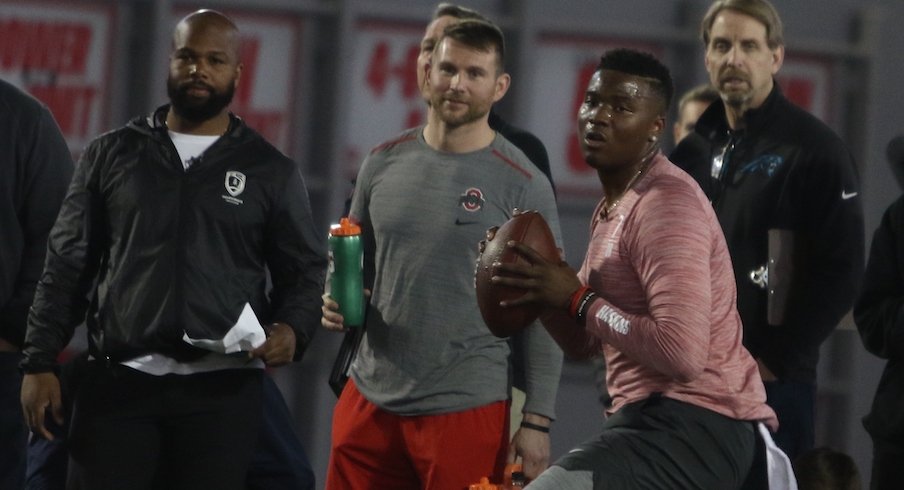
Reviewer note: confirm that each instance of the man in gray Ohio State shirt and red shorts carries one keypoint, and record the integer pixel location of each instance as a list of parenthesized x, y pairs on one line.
[(427, 405)]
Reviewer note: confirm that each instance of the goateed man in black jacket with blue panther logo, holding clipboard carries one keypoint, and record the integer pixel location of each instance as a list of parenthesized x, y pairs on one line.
[(786, 192)]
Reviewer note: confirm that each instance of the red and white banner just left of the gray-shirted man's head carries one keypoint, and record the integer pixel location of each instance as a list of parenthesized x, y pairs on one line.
[(384, 97)]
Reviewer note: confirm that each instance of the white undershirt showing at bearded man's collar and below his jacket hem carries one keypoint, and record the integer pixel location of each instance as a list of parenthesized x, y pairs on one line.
[(190, 147)]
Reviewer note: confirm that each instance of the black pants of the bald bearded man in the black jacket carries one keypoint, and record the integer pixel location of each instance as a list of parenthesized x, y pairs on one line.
[(134, 431)]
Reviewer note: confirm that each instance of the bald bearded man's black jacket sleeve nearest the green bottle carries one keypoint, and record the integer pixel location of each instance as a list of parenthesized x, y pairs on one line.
[(296, 258)]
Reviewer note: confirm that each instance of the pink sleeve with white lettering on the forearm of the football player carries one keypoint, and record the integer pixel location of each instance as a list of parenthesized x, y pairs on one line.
[(670, 249)]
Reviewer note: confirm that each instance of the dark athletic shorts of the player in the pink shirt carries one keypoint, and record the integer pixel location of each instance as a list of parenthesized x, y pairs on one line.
[(662, 443)]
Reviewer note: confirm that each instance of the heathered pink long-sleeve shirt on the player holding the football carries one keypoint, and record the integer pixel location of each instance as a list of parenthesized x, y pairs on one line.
[(666, 317)]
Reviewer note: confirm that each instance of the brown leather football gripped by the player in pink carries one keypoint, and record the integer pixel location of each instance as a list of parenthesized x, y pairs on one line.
[(530, 228)]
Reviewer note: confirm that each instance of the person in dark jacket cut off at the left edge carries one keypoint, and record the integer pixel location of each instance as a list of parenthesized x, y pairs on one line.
[(35, 169)]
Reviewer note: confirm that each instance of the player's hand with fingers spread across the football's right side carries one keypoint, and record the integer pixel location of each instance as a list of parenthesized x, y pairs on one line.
[(549, 284)]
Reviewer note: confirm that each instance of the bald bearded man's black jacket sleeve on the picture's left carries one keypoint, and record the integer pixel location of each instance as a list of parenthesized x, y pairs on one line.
[(73, 254)]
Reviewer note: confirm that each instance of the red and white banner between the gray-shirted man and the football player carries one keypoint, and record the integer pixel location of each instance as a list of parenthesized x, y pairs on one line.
[(558, 87)]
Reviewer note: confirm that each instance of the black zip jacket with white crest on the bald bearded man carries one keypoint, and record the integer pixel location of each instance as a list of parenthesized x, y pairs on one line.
[(145, 252)]
